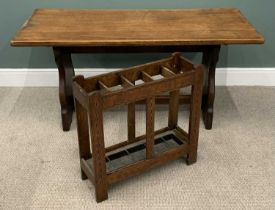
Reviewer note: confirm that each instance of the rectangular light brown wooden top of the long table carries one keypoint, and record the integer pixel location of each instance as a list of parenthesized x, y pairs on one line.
[(70, 27)]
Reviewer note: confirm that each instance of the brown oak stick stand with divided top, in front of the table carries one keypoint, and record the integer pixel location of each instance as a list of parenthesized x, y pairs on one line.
[(105, 166)]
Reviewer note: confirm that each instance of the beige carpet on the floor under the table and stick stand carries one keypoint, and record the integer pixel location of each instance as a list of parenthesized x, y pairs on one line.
[(39, 164)]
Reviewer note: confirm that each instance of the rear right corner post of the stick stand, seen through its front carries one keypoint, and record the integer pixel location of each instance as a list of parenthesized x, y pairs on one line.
[(173, 109)]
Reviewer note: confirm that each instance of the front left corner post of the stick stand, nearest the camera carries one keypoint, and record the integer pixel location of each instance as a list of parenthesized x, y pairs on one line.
[(98, 148)]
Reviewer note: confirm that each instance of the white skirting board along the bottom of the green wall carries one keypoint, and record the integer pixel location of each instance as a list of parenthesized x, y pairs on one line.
[(49, 77)]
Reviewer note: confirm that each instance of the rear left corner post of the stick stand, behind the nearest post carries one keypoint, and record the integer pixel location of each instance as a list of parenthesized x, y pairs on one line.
[(83, 134)]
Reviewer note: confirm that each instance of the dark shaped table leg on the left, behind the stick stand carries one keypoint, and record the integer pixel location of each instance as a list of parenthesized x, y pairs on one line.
[(66, 72)]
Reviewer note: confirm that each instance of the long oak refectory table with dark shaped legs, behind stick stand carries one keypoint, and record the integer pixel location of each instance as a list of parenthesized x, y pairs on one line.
[(70, 31)]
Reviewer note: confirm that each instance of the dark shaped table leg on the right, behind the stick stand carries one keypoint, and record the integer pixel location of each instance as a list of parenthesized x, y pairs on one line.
[(210, 59)]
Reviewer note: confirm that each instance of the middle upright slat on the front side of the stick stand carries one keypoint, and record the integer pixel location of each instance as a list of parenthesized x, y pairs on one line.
[(150, 121)]
